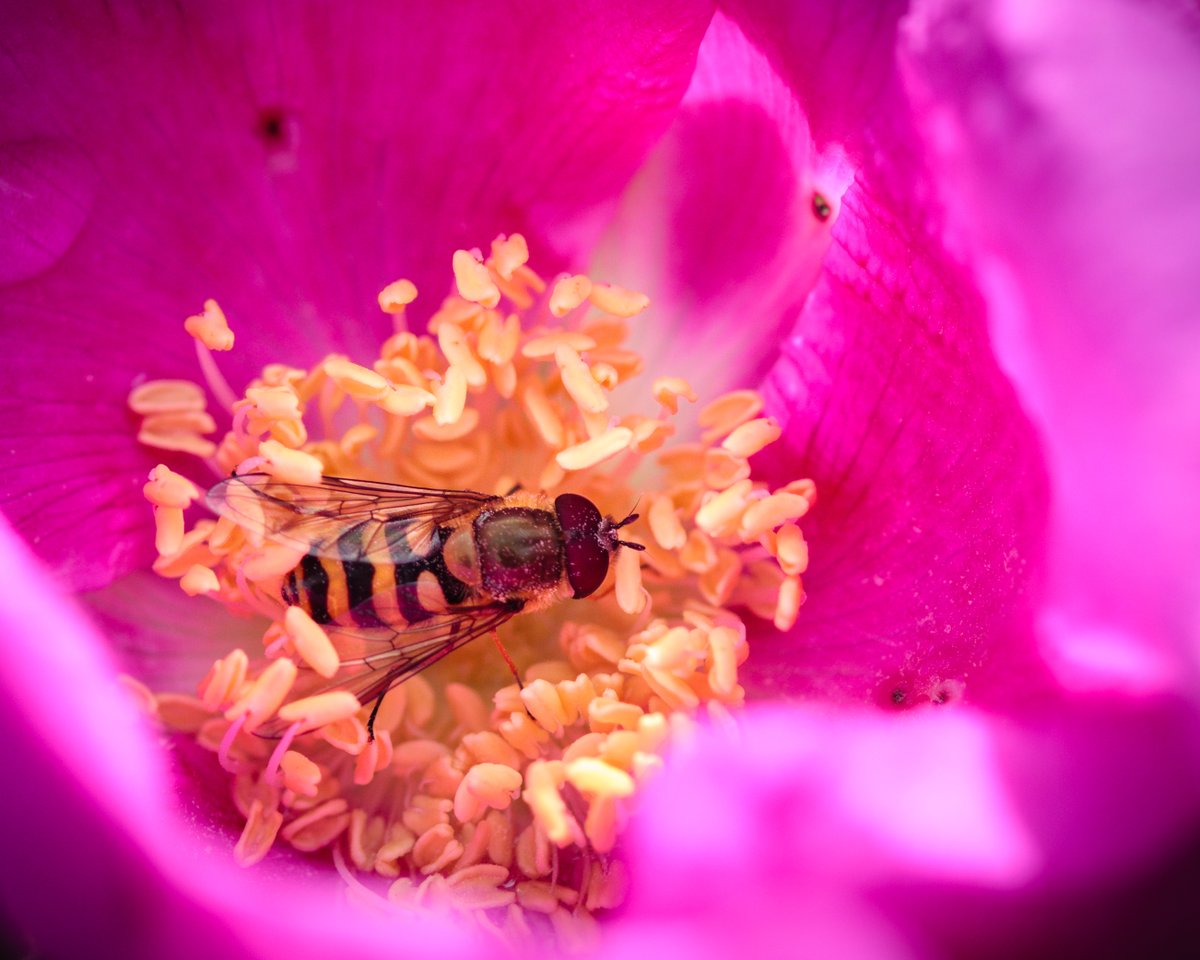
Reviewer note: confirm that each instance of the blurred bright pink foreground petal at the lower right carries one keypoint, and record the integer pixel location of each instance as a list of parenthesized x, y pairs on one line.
[(887, 815)]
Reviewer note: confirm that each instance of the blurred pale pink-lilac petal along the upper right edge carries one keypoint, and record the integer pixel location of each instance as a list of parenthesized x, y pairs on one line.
[(1077, 182)]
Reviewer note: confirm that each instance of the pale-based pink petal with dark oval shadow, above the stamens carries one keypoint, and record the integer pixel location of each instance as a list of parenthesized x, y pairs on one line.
[(719, 226)]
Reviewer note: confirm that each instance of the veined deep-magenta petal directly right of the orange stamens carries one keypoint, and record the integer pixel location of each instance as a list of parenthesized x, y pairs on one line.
[(928, 530)]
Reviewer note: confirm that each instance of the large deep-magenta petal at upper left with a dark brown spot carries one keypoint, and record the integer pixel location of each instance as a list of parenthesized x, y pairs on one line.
[(289, 166)]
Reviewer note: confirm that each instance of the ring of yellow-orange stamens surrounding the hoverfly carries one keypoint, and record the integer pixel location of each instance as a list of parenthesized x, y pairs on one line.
[(477, 796)]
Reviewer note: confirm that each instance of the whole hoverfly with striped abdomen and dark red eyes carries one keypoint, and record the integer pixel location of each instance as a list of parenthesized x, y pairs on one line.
[(400, 577)]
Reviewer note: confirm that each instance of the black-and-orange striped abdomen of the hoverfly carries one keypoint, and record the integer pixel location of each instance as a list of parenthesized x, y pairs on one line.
[(346, 590)]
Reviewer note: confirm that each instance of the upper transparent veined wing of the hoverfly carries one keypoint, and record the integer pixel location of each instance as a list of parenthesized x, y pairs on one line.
[(340, 518)]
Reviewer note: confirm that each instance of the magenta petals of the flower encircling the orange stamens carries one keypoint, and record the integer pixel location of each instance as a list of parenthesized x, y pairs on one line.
[(925, 136)]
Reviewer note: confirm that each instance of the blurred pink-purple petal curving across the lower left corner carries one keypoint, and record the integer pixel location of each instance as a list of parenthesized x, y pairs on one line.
[(136, 860)]
